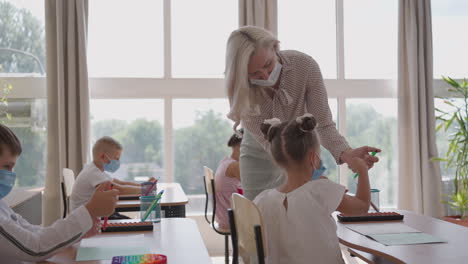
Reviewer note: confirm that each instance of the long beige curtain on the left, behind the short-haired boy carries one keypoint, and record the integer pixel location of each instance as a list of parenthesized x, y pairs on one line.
[(67, 97)]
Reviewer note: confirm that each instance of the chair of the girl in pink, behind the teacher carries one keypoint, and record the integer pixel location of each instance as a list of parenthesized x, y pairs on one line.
[(208, 180)]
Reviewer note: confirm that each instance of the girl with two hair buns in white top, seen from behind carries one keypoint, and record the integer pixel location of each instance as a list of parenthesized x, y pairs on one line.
[(297, 215)]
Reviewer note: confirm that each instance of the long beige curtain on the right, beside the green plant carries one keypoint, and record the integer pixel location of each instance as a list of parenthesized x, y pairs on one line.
[(419, 178)]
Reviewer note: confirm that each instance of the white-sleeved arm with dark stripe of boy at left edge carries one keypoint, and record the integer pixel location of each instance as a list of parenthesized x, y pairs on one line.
[(20, 243)]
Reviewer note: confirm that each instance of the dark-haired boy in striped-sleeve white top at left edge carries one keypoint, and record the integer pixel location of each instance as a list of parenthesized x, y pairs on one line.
[(22, 241)]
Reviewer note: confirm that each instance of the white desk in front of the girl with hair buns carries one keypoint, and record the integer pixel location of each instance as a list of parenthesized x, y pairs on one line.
[(454, 251)]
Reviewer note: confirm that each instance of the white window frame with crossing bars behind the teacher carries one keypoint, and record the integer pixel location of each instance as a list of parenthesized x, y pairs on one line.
[(169, 88)]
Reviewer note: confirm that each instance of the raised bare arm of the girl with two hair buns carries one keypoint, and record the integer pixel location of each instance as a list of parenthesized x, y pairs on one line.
[(360, 203)]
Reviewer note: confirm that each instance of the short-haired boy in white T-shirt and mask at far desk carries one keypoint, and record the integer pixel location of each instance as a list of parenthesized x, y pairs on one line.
[(106, 156)]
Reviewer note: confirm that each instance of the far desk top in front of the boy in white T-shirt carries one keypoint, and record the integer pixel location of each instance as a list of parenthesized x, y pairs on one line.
[(173, 195)]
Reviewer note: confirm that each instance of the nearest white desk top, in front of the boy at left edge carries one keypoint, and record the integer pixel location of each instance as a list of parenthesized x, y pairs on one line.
[(177, 238)]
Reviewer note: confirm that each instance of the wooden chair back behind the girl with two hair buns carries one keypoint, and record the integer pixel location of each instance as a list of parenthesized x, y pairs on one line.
[(246, 229)]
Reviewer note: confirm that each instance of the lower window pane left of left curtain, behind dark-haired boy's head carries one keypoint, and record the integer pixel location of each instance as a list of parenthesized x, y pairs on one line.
[(28, 120)]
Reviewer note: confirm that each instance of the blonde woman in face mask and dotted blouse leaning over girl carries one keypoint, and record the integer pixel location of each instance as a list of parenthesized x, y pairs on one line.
[(263, 82)]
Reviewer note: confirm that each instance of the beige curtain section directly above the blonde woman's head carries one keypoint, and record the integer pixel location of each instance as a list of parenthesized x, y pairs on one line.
[(261, 13)]
